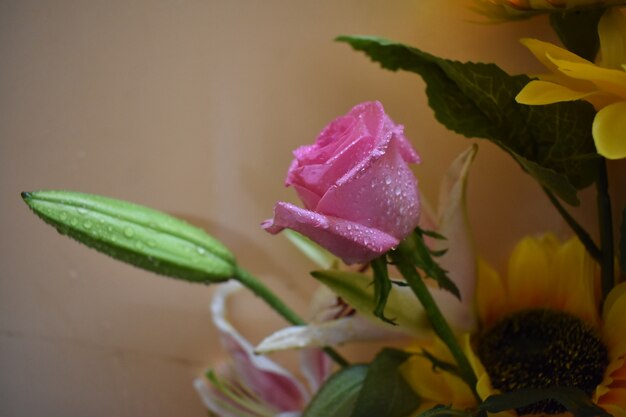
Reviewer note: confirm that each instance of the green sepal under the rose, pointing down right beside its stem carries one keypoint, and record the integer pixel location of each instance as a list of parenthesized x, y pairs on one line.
[(422, 258)]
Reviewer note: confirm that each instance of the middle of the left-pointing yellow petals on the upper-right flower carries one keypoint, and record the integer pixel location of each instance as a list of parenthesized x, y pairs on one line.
[(609, 80)]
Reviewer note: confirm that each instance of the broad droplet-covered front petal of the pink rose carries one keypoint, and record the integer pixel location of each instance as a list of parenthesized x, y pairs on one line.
[(382, 195)]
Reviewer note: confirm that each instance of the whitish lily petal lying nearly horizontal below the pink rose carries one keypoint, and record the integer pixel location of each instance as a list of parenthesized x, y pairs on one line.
[(347, 329)]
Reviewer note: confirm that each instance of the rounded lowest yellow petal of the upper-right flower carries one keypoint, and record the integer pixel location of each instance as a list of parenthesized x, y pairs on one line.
[(609, 131)]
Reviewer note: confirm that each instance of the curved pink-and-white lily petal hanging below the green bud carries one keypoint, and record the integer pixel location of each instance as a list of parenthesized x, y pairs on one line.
[(274, 384)]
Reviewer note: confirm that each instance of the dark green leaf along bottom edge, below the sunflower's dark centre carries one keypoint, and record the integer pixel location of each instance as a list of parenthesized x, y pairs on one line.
[(573, 399)]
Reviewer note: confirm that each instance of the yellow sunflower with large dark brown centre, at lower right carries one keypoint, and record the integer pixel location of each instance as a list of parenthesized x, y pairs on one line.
[(539, 327)]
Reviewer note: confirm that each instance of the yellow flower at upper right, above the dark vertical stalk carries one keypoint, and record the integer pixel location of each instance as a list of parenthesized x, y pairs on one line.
[(602, 84)]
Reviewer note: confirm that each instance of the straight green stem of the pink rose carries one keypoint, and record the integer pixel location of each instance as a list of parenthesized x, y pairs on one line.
[(439, 324)]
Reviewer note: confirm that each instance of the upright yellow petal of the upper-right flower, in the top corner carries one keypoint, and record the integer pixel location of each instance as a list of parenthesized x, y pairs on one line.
[(612, 31)]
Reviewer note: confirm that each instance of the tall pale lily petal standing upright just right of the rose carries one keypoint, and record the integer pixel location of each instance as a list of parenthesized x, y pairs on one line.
[(460, 258)]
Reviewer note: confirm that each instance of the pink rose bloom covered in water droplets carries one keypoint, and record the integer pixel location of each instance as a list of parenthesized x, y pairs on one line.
[(359, 194)]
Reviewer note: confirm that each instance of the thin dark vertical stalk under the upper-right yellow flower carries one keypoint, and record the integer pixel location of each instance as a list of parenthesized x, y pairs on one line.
[(606, 230)]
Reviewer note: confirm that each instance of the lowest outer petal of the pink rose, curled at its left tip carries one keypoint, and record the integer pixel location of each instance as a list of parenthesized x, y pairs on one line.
[(351, 241)]
